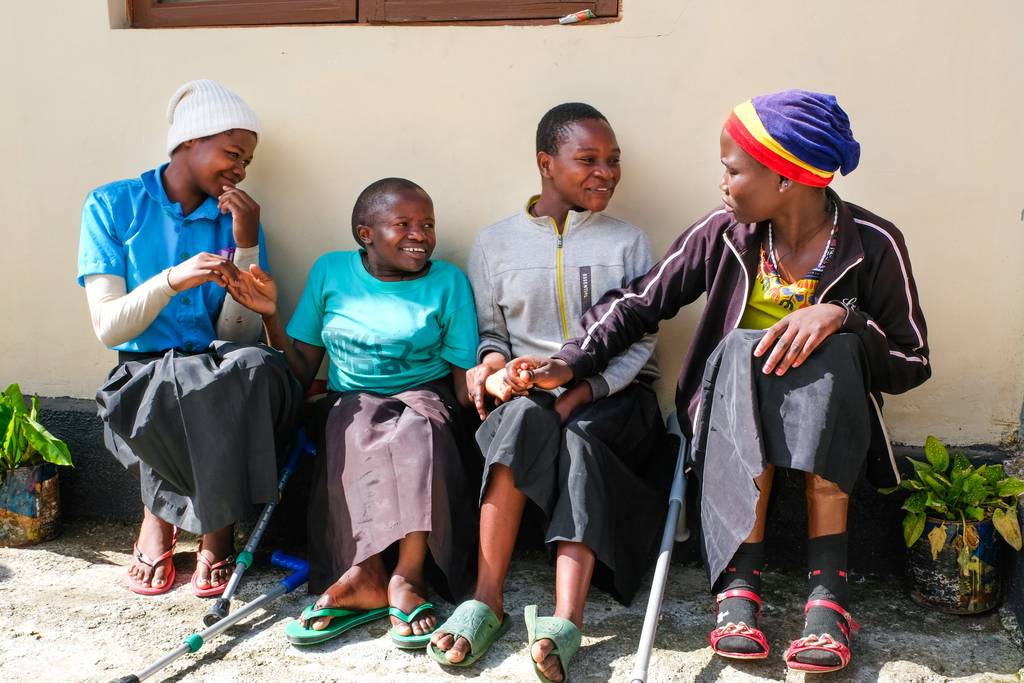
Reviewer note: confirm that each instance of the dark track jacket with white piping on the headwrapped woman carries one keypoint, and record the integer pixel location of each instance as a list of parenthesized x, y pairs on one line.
[(870, 276)]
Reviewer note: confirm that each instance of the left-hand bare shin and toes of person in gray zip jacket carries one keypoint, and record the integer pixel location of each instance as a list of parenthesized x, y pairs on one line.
[(500, 518)]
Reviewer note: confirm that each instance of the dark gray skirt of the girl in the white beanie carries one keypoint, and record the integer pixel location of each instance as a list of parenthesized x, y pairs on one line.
[(202, 432)]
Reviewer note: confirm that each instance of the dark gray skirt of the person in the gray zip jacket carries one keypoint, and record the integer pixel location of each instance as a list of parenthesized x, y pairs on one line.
[(603, 480)]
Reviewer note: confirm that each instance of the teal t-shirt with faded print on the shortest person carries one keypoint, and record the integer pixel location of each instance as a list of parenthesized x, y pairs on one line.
[(387, 337)]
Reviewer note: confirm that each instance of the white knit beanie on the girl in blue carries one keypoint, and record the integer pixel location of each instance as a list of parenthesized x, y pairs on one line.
[(206, 108)]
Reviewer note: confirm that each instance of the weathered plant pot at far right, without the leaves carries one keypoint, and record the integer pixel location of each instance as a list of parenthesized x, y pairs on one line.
[(943, 584)]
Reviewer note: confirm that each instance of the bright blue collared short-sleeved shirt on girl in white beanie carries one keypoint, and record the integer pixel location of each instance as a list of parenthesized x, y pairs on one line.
[(131, 229)]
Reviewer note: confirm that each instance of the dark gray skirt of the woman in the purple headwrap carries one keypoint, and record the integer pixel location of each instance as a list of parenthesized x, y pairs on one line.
[(815, 419)]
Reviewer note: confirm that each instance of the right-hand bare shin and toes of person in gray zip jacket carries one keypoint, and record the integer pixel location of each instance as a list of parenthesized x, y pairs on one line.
[(574, 570)]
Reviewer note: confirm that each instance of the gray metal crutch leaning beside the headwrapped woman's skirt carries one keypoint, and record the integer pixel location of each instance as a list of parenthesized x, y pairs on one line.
[(675, 530)]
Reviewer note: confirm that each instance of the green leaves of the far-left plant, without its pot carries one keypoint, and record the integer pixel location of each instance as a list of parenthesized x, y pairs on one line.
[(25, 441)]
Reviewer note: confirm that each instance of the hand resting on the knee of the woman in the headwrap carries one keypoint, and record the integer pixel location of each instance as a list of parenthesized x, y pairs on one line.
[(796, 336)]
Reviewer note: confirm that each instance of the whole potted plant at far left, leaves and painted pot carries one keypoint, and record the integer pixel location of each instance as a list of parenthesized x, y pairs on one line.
[(30, 509)]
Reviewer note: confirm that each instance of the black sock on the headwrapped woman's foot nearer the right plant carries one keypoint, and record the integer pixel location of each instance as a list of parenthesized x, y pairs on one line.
[(827, 581)]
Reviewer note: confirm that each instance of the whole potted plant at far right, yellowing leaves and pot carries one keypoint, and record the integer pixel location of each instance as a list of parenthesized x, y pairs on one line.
[(962, 511)]
